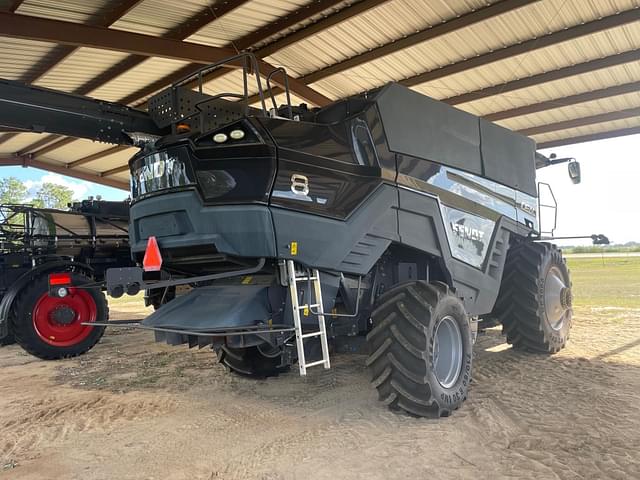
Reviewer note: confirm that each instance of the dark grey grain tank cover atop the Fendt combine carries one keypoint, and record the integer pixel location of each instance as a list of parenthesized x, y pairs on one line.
[(422, 127)]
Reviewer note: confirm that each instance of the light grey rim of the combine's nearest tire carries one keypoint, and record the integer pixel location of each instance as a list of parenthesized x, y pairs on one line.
[(447, 352)]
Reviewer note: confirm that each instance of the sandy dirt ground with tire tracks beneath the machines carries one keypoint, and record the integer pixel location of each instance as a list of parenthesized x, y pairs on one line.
[(134, 409)]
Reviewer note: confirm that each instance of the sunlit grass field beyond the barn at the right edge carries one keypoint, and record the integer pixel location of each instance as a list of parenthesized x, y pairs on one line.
[(606, 282)]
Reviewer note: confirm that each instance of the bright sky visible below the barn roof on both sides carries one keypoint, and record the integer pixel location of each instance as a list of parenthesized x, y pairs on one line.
[(607, 201)]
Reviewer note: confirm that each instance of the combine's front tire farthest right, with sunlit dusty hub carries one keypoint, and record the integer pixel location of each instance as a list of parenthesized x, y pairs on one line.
[(534, 303)]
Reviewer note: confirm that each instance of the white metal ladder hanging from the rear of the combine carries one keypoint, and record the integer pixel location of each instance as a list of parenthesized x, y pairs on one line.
[(293, 280)]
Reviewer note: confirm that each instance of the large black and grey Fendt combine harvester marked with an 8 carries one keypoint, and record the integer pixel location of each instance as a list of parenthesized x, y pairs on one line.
[(386, 222)]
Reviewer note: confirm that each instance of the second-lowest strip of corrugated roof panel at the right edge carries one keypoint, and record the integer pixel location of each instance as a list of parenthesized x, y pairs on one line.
[(587, 109)]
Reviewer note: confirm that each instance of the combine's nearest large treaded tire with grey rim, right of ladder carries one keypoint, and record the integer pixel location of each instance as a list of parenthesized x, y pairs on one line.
[(420, 349)]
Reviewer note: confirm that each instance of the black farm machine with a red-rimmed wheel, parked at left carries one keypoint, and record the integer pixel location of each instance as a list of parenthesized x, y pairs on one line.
[(76, 246)]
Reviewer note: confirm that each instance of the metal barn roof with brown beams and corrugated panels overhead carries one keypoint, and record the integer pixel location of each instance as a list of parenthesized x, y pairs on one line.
[(560, 71)]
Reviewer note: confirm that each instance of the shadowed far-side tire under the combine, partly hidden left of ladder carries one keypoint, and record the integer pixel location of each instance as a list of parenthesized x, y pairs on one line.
[(254, 362)]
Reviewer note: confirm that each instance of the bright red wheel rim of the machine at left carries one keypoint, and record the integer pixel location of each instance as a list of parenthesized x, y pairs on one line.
[(58, 321)]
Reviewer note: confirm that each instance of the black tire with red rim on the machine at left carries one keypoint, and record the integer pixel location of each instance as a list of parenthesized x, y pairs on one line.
[(50, 327)]
